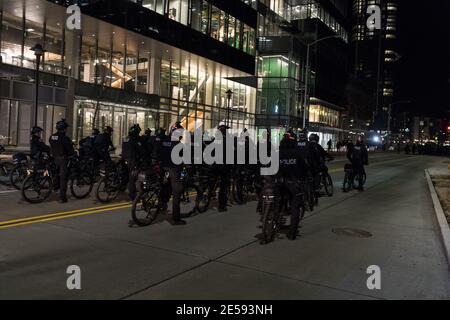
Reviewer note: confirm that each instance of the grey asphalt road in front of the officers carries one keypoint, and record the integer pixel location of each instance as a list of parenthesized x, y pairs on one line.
[(218, 255)]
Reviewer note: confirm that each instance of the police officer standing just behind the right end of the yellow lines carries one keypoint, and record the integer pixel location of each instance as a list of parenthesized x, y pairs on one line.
[(132, 152)]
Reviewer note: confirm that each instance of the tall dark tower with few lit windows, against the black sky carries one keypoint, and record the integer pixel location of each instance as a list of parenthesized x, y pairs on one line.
[(375, 54)]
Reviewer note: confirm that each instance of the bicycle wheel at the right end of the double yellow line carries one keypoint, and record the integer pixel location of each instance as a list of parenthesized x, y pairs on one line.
[(146, 208)]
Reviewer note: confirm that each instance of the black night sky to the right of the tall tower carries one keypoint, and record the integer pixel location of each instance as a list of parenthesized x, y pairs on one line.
[(424, 69)]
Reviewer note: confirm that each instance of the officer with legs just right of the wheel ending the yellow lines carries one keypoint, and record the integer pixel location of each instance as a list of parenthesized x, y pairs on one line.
[(174, 171)]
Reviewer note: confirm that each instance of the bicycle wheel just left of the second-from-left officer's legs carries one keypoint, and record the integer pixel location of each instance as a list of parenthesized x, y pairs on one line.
[(36, 189)]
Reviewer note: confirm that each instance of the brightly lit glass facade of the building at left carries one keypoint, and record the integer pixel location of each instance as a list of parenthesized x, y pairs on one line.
[(120, 69)]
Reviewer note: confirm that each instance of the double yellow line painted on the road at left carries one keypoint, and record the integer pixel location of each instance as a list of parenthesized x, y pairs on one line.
[(60, 215)]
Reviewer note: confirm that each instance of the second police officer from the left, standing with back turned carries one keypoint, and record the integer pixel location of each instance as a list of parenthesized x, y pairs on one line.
[(62, 149)]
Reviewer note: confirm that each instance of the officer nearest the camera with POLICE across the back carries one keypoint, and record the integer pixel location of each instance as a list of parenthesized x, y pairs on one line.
[(293, 169)]
